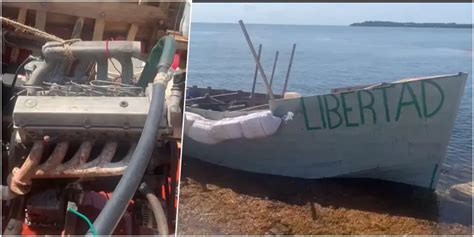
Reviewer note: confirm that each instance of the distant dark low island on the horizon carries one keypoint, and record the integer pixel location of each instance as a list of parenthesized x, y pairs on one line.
[(411, 24)]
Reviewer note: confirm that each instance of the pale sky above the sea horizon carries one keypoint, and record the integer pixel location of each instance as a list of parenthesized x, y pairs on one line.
[(330, 13)]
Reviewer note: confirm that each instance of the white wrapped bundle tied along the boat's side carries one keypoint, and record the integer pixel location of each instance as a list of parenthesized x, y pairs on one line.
[(254, 125)]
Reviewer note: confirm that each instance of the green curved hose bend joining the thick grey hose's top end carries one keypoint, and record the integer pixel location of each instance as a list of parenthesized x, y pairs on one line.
[(159, 60)]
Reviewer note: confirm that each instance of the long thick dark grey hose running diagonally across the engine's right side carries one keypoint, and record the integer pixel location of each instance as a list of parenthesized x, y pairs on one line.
[(114, 209)]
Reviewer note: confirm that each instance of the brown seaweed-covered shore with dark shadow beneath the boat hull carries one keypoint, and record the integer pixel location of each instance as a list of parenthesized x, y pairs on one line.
[(218, 200)]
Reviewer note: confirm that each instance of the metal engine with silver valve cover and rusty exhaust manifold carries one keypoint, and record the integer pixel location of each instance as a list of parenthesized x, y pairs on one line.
[(61, 119)]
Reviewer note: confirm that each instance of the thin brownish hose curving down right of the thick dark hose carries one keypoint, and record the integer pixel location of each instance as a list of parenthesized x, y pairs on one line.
[(156, 208)]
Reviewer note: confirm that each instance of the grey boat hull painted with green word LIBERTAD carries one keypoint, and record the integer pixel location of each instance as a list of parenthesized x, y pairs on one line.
[(397, 132)]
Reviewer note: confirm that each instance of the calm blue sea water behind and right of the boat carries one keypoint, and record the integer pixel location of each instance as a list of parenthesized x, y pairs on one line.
[(335, 56)]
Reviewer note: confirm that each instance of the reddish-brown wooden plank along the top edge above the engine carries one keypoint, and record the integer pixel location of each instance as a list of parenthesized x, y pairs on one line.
[(109, 11)]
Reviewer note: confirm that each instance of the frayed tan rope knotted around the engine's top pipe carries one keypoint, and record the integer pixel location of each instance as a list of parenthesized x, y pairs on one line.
[(43, 35)]
